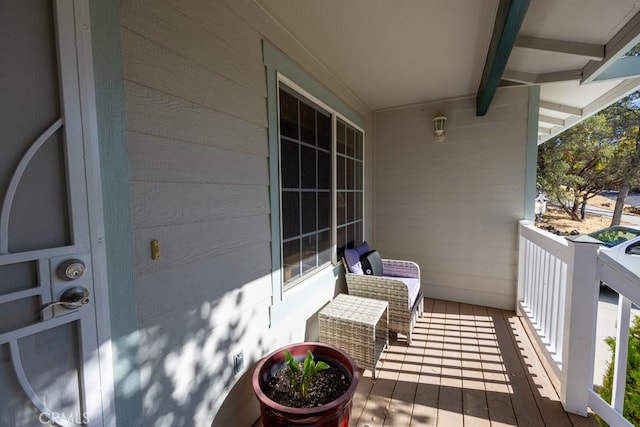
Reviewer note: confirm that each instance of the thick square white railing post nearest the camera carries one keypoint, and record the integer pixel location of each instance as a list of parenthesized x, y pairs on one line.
[(581, 306)]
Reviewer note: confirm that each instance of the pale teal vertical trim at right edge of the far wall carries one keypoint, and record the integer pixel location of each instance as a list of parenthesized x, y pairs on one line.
[(531, 161)]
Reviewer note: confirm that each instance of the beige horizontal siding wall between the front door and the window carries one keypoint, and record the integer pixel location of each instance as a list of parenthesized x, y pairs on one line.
[(197, 133)]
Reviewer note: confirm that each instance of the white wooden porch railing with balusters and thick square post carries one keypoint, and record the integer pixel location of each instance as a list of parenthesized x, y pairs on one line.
[(558, 292)]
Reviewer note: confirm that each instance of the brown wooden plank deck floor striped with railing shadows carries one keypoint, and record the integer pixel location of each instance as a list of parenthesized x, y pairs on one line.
[(467, 366)]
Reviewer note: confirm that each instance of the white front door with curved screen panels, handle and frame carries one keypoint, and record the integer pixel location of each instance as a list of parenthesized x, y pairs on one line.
[(52, 368)]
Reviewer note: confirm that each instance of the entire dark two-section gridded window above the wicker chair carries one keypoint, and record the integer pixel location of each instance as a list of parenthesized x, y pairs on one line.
[(307, 189)]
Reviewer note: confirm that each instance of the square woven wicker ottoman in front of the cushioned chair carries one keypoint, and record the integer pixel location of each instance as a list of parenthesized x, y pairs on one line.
[(358, 326)]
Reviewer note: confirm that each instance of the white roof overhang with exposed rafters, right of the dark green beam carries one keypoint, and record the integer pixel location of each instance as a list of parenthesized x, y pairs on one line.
[(581, 70)]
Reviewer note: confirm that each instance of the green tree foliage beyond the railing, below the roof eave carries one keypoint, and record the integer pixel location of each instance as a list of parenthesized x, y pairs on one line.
[(602, 152)]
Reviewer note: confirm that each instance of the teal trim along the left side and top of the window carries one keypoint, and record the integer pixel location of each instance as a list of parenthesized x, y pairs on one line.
[(277, 63)]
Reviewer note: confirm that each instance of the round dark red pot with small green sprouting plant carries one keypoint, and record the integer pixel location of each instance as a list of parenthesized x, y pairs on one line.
[(291, 383)]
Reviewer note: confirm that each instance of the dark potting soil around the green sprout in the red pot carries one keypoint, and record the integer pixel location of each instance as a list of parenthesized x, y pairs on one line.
[(326, 386)]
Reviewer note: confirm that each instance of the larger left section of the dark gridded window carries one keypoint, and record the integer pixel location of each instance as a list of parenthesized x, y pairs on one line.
[(305, 186)]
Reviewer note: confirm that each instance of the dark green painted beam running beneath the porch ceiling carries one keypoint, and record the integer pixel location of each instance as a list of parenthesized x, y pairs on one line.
[(508, 21)]
